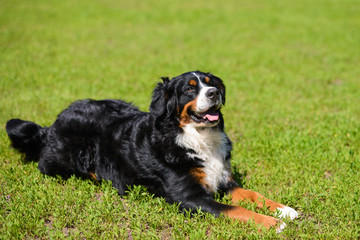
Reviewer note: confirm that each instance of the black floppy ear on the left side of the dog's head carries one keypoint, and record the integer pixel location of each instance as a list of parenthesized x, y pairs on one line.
[(164, 102)]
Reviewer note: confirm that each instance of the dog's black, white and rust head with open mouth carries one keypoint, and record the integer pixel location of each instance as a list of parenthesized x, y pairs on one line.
[(192, 98)]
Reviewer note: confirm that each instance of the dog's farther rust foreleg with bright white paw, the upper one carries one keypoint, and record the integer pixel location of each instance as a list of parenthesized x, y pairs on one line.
[(240, 194)]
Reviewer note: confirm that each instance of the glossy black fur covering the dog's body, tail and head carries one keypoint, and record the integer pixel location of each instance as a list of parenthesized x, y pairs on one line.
[(117, 142)]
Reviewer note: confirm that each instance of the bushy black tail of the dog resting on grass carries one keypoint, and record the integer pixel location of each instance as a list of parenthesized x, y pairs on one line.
[(27, 137)]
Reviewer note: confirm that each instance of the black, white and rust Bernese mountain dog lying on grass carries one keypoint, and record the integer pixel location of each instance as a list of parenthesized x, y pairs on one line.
[(178, 150)]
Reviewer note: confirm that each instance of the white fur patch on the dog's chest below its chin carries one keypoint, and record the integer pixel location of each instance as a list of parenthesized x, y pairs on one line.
[(210, 145)]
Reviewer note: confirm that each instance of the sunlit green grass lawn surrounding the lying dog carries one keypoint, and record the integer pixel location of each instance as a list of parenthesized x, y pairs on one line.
[(292, 74)]
